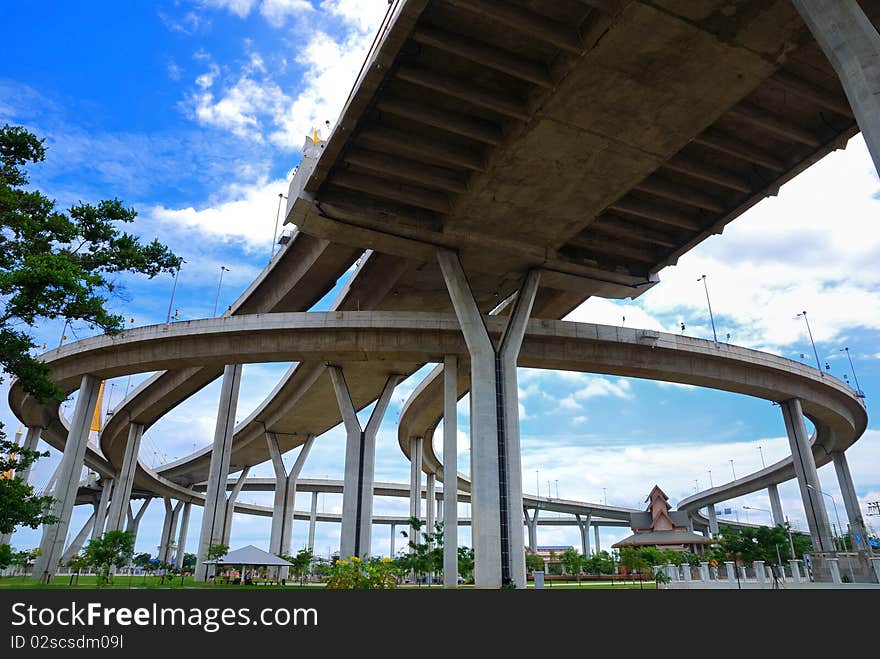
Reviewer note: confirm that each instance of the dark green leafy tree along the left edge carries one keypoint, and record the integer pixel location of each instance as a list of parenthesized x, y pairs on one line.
[(54, 264)]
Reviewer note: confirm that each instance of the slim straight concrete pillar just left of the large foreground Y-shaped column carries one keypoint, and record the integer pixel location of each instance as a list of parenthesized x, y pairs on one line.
[(450, 471)]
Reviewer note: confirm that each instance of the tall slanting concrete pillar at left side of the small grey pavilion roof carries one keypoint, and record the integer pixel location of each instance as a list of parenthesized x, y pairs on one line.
[(214, 515)]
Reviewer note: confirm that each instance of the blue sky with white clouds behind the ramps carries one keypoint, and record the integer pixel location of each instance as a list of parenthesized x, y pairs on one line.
[(194, 113)]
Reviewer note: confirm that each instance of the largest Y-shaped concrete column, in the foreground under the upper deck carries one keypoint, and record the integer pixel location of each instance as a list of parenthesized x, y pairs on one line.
[(496, 471)]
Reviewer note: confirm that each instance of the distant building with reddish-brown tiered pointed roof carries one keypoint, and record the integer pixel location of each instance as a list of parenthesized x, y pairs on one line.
[(662, 528)]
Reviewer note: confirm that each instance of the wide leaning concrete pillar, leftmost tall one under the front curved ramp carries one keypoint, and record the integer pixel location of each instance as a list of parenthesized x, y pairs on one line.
[(52, 543)]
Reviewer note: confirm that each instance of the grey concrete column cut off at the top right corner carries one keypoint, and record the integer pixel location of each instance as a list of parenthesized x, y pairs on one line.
[(852, 46)]
